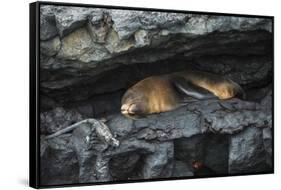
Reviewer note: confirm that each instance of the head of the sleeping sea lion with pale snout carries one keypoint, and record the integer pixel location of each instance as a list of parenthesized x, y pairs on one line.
[(134, 104)]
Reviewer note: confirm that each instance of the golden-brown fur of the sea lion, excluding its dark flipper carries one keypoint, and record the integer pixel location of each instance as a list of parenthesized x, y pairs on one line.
[(156, 94)]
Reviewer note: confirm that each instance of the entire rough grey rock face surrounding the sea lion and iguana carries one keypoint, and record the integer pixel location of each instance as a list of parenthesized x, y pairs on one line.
[(89, 57)]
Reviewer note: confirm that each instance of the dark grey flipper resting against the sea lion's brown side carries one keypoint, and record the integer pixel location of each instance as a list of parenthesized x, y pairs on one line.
[(189, 89)]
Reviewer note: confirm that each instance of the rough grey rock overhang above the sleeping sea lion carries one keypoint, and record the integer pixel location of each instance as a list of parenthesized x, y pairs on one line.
[(80, 45)]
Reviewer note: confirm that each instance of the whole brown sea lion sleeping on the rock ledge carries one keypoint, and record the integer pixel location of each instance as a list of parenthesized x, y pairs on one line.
[(166, 92)]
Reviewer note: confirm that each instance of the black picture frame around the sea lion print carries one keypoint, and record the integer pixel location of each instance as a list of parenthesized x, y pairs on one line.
[(34, 114)]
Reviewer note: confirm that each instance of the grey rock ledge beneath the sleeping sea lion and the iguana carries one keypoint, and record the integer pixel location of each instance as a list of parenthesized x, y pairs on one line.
[(228, 137)]
